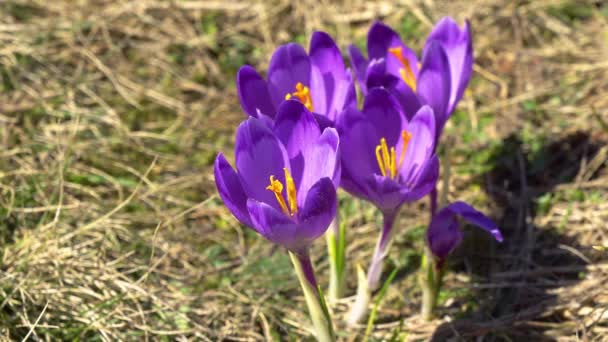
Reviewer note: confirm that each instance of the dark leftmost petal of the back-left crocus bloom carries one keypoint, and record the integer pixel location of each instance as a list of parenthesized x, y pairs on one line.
[(253, 93)]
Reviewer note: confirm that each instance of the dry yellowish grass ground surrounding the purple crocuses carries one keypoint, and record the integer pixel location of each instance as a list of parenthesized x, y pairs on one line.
[(112, 112)]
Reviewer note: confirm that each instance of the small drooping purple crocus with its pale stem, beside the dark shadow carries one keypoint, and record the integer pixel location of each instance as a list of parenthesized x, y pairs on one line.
[(443, 236)]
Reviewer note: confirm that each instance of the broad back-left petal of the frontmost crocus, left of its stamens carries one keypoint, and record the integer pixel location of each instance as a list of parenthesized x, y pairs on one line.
[(259, 154)]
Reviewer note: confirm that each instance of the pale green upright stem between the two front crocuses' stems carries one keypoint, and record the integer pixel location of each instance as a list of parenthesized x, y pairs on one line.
[(336, 247)]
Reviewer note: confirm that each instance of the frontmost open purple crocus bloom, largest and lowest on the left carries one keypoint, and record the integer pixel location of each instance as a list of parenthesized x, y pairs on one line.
[(286, 176)]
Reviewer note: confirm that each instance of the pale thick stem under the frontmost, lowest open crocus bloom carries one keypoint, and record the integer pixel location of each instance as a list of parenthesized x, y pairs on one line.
[(314, 298)]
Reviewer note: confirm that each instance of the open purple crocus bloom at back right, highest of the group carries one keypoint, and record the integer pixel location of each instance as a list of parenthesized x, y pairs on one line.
[(438, 80)]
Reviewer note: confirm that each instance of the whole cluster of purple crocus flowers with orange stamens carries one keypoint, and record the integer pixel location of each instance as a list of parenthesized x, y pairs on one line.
[(305, 137)]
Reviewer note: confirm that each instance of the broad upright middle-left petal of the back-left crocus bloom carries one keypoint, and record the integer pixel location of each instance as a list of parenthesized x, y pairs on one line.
[(288, 66)]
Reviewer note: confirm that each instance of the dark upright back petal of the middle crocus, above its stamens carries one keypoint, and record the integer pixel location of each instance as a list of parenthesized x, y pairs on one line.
[(382, 110)]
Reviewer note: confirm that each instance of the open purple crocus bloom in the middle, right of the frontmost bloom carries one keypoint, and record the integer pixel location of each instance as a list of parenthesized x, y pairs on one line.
[(387, 159)]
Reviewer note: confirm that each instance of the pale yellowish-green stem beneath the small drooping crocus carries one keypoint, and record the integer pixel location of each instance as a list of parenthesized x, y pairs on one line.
[(430, 279)]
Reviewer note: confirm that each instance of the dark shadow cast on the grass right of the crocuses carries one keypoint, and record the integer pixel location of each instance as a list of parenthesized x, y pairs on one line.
[(519, 274)]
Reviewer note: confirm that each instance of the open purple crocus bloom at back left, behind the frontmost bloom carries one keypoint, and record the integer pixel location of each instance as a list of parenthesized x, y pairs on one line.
[(319, 80)]
